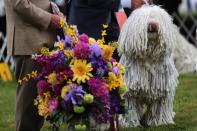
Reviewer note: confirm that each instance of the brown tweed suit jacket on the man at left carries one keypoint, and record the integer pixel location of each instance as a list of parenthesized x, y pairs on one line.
[(28, 26)]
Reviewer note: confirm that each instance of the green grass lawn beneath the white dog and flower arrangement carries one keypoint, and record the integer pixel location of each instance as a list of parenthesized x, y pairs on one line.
[(185, 106)]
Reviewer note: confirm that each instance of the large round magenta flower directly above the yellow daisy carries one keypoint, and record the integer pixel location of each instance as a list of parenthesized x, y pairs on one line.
[(82, 50)]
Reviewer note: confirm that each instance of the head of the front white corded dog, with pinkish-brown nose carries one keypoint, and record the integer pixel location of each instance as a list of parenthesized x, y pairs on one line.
[(148, 31)]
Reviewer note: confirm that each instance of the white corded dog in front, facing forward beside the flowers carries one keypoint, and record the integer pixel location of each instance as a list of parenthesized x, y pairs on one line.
[(146, 43)]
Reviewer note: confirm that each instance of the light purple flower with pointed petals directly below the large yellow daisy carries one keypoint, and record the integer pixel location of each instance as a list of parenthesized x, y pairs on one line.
[(75, 95)]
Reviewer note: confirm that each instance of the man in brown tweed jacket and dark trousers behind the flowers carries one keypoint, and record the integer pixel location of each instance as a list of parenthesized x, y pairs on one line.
[(30, 26)]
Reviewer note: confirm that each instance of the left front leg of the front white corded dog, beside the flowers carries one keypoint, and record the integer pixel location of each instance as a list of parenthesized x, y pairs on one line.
[(132, 117)]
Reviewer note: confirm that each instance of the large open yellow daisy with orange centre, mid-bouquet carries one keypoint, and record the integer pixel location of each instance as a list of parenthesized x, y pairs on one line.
[(81, 70)]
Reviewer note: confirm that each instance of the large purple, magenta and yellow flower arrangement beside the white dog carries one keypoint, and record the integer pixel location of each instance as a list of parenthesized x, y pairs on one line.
[(79, 79)]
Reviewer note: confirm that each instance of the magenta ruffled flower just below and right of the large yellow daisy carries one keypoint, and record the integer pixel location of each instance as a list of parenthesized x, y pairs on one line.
[(97, 87)]
